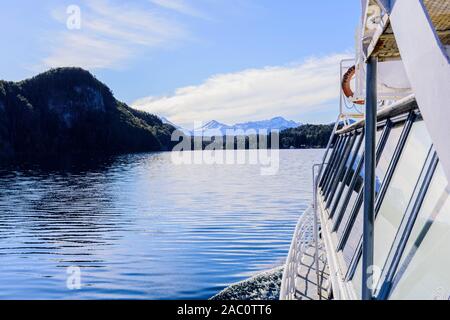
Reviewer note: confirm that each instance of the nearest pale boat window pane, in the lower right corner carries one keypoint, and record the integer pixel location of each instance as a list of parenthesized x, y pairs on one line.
[(423, 272)]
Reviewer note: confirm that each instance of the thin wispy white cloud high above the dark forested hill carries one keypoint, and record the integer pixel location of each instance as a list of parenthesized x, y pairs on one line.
[(111, 33)]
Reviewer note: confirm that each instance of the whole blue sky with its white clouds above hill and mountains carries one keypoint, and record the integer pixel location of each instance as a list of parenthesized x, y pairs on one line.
[(193, 60)]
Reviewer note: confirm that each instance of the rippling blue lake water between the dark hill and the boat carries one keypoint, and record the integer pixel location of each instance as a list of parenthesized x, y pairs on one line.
[(141, 227)]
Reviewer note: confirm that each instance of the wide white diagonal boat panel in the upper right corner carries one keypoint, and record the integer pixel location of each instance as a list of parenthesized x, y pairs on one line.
[(428, 69)]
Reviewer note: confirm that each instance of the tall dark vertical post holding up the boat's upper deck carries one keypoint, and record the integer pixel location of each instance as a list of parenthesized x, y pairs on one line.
[(369, 179)]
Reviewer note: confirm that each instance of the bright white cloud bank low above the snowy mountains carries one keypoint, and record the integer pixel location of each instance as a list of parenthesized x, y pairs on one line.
[(290, 91)]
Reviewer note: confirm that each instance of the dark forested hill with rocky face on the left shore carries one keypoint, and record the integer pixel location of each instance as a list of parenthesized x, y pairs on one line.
[(67, 110)]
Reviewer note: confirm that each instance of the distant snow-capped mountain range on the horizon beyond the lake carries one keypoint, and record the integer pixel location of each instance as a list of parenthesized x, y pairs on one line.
[(215, 128)]
